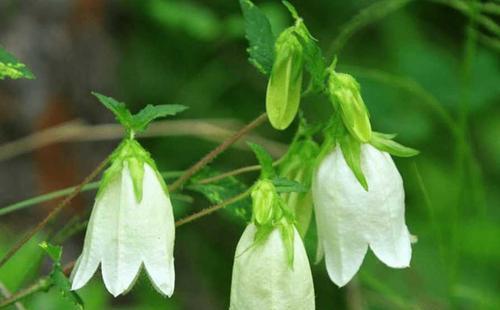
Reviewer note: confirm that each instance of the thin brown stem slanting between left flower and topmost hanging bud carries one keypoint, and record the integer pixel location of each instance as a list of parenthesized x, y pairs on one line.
[(215, 152)]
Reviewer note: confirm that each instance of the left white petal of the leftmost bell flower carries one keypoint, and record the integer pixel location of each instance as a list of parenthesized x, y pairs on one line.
[(97, 237)]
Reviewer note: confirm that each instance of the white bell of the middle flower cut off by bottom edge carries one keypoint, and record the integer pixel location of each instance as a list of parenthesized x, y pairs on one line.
[(263, 277)]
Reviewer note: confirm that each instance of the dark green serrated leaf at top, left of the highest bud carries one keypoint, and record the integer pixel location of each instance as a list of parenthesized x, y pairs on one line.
[(259, 35)]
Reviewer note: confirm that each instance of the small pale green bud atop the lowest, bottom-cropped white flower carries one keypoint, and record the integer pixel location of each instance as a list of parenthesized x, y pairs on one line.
[(265, 200)]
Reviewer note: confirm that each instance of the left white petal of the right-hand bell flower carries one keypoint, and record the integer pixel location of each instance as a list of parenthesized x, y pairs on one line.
[(339, 218)]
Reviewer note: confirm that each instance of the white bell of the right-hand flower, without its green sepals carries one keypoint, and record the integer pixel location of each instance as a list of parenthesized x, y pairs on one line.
[(349, 219)]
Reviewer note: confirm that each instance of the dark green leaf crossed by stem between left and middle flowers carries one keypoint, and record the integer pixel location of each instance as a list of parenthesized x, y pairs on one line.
[(221, 190)]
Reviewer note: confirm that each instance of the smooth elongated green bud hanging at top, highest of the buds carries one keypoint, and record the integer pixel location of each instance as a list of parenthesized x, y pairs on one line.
[(285, 82)]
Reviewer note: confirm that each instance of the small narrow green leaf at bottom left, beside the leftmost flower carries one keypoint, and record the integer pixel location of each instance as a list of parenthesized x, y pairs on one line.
[(57, 277)]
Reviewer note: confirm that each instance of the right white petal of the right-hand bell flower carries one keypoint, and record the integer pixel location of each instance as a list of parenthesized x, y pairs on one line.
[(385, 223)]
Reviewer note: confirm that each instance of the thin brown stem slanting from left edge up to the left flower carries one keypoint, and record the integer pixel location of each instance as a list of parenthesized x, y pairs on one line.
[(53, 213)]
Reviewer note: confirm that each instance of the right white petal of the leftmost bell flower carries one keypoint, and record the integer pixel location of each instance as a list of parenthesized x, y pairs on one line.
[(158, 233)]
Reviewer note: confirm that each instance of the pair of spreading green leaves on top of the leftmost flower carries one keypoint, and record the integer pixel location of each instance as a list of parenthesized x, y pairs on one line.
[(138, 122)]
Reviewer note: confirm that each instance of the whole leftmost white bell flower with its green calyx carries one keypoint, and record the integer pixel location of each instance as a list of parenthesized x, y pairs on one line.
[(131, 226)]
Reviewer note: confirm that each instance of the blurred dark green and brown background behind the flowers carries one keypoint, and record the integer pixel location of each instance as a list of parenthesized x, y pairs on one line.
[(428, 70)]
